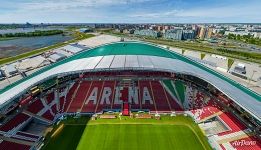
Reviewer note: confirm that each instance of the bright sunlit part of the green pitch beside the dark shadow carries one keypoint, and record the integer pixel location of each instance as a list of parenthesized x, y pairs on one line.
[(138, 137)]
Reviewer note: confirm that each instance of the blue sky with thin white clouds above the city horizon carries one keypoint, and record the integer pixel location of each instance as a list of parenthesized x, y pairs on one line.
[(130, 11)]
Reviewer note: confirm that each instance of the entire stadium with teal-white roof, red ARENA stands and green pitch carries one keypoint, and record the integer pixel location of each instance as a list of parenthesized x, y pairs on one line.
[(129, 95)]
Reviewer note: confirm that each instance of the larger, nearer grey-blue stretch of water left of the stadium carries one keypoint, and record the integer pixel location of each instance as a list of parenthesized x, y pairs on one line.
[(21, 45)]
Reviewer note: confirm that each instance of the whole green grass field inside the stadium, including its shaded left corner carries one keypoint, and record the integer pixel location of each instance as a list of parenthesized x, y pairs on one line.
[(130, 134)]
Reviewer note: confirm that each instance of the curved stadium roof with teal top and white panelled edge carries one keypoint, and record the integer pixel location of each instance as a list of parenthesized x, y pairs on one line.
[(139, 56)]
